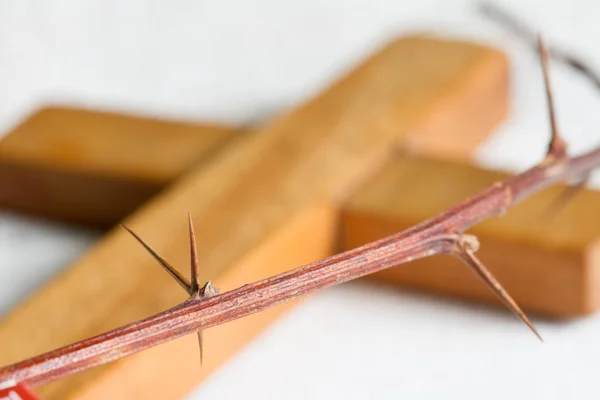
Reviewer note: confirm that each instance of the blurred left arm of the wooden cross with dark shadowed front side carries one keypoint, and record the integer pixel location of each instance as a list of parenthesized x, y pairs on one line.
[(94, 167)]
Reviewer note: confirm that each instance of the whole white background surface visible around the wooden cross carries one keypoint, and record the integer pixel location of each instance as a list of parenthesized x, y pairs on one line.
[(238, 61)]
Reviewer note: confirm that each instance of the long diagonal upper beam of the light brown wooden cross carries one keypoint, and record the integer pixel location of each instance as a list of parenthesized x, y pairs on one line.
[(287, 177)]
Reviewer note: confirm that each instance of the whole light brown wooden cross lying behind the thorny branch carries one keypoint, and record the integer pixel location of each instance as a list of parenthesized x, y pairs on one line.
[(374, 153)]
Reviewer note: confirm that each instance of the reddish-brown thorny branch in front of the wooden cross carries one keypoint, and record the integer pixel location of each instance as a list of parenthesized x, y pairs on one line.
[(442, 234)]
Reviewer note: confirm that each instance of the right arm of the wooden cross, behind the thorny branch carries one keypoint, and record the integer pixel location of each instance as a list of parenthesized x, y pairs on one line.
[(549, 264)]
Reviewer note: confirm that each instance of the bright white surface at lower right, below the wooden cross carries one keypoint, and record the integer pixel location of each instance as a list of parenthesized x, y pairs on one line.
[(360, 341)]
